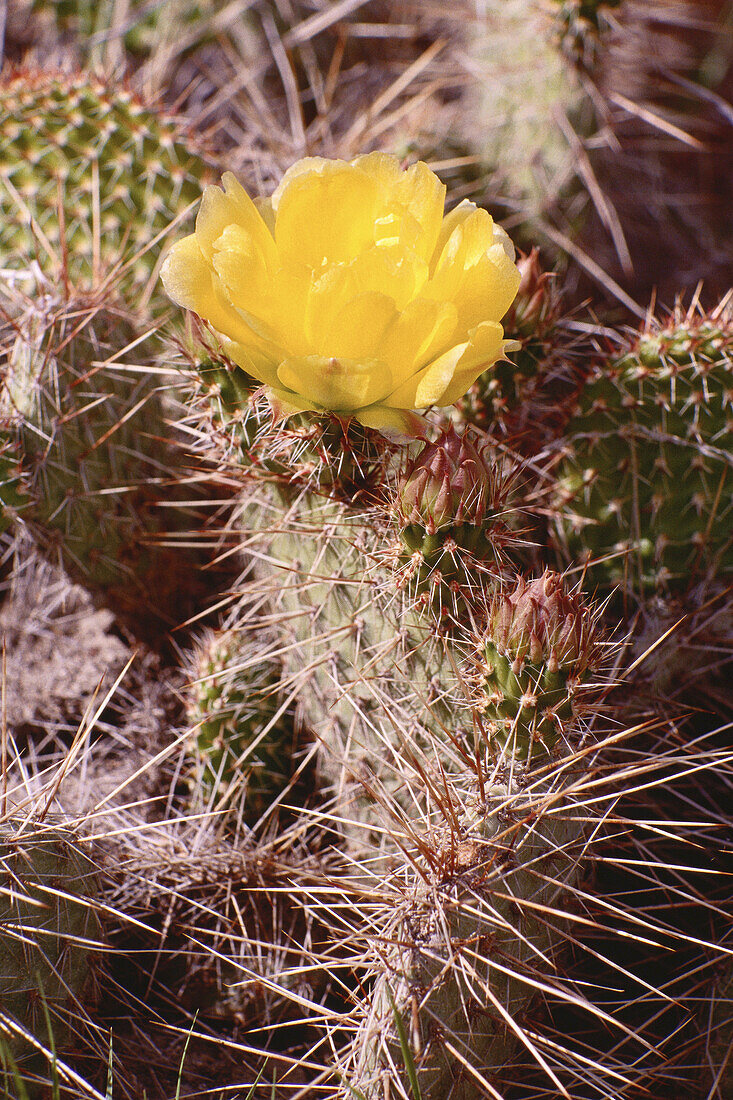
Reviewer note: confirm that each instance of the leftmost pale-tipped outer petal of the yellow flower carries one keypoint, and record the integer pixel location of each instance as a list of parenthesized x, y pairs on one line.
[(192, 283)]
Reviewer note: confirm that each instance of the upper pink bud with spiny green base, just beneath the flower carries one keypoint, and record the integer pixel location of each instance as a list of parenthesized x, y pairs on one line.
[(453, 513)]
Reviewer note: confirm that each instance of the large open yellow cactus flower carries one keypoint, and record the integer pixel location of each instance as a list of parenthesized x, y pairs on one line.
[(348, 291)]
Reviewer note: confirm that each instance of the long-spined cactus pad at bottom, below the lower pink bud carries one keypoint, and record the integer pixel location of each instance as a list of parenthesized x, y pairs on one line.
[(456, 955)]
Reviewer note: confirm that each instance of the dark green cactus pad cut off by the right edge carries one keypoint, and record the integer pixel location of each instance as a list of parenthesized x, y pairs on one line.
[(646, 481)]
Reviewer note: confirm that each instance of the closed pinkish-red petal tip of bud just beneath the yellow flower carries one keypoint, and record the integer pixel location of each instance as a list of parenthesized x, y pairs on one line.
[(451, 483)]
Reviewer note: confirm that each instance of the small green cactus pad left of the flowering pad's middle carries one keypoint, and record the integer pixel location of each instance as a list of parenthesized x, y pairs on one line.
[(244, 725)]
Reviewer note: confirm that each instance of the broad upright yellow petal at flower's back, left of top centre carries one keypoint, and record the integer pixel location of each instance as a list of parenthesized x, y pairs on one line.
[(326, 215)]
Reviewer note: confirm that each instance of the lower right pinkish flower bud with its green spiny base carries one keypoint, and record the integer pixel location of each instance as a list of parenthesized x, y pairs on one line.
[(541, 648)]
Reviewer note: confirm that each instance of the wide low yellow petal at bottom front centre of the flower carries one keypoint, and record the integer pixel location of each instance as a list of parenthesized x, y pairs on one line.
[(342, 386)]
